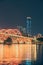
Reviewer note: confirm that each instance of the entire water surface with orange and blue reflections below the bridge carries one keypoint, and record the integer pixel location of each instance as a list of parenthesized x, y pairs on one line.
[(21, 54)]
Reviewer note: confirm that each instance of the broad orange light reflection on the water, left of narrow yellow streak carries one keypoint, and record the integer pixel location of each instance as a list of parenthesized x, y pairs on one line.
[(15, 52)]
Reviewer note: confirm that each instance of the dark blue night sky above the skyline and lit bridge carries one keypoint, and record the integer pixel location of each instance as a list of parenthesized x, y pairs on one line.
[(14, 12)]
